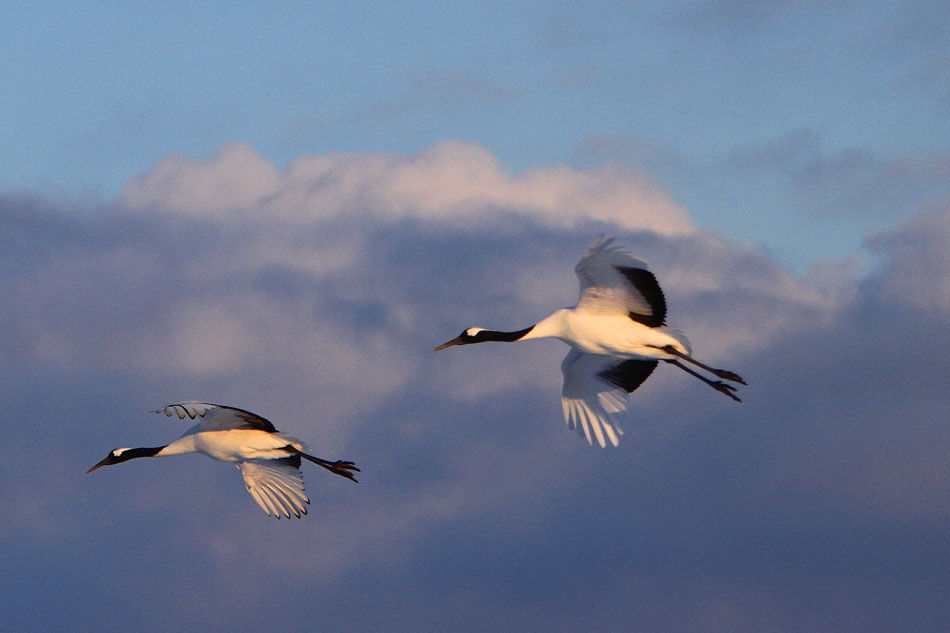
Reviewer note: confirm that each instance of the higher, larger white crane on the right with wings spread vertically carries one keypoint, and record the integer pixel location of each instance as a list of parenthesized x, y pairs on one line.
[(617, 335)]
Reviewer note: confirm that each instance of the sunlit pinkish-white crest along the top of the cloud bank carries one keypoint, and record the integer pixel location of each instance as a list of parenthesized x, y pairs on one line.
[(455, 182)]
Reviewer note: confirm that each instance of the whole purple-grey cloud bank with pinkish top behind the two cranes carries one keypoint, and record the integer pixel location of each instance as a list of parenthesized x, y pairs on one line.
[(313, 295)]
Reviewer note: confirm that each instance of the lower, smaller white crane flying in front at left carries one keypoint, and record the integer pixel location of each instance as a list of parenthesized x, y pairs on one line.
[(268, 460)]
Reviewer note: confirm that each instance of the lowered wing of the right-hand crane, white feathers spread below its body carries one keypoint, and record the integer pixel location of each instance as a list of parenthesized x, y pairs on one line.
[(594, 395)]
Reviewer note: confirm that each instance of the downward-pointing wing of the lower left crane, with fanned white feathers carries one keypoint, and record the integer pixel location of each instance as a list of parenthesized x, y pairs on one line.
[(276, 485)]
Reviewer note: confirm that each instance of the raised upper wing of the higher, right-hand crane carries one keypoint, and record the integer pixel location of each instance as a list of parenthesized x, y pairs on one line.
[(613, 281)]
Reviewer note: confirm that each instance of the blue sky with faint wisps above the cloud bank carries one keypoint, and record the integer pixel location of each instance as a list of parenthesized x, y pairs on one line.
[(744, 111)]
